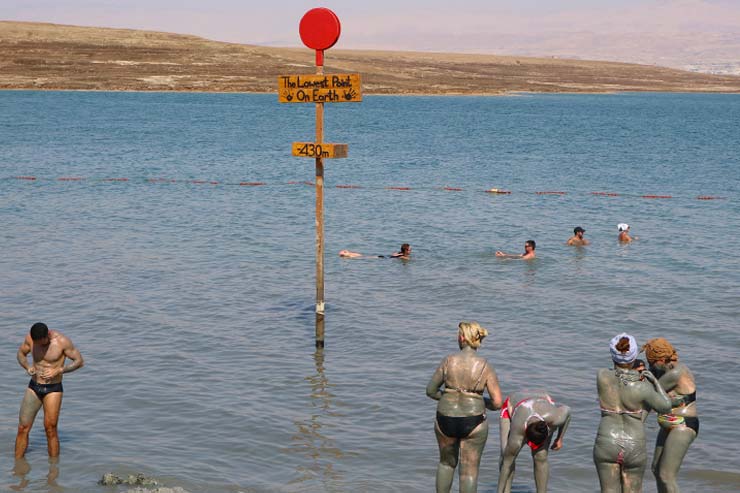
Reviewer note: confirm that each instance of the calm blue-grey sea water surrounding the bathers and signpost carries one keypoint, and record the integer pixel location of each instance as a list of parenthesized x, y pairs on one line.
[(193, 303)]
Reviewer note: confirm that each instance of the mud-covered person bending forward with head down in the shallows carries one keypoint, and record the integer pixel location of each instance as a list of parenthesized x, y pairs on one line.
[(529, 418)]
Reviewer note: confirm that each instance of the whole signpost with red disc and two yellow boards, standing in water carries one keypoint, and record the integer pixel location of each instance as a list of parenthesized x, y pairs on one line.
[(319, 29)]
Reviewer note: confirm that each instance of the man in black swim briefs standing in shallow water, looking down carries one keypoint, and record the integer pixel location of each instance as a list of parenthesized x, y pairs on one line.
[(49, 350)]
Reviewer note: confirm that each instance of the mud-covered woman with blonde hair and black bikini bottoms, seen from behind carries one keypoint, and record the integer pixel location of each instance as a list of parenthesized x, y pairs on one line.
[(461, 426)]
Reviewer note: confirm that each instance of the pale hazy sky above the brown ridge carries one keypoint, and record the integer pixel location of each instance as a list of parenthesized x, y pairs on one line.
[(388, 24)]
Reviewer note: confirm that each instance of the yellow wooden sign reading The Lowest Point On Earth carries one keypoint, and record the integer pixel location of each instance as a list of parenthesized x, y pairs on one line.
[(330, 88)]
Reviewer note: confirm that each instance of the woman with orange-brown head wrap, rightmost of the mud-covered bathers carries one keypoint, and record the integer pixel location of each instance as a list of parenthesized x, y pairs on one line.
[(679, 428)]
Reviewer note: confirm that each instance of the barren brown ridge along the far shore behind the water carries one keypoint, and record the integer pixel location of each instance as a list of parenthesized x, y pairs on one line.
[(51, 56)]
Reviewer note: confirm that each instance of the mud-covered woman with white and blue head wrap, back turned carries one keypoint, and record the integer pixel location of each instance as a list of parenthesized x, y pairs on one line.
[(625, 394)]
